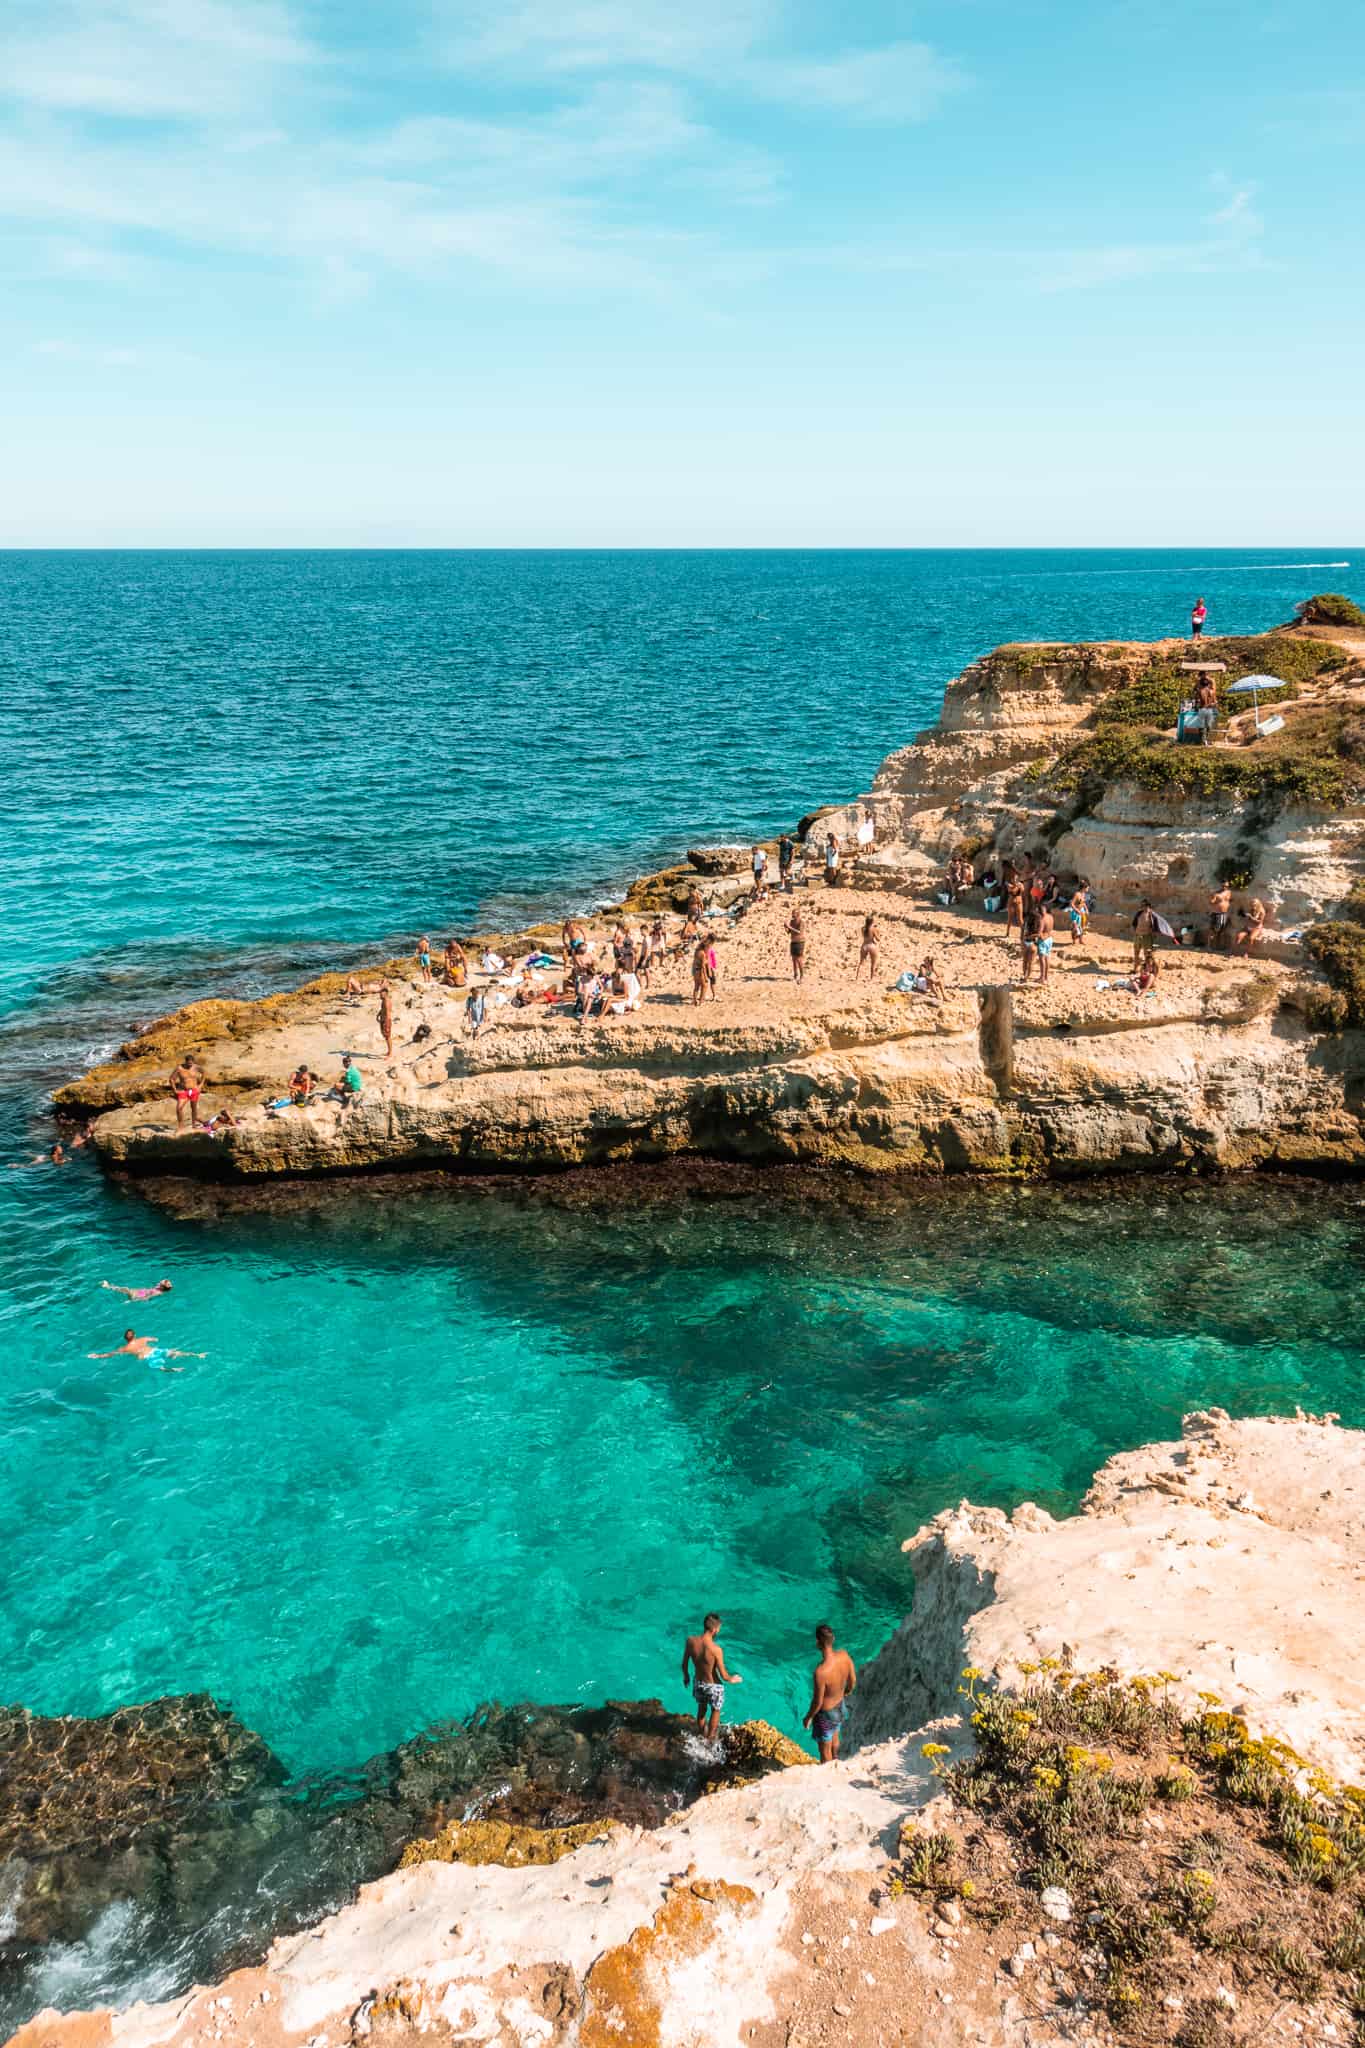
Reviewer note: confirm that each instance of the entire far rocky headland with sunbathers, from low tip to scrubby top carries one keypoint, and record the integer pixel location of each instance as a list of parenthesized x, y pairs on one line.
[(1067, 755)]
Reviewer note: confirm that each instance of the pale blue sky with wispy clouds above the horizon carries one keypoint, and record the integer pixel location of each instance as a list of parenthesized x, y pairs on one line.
[(707, 271)]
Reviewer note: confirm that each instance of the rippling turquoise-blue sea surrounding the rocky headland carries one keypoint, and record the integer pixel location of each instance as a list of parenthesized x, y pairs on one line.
[(451, 1447)]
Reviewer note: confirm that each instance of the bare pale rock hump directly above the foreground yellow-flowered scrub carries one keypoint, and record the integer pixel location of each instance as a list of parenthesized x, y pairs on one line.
[(1233, 1560)]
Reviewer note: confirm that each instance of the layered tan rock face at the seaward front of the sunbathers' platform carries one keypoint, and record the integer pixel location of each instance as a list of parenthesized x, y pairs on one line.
[(1213, 1072)]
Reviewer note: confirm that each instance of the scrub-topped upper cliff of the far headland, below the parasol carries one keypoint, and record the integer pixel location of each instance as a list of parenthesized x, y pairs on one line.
[(994, 773)]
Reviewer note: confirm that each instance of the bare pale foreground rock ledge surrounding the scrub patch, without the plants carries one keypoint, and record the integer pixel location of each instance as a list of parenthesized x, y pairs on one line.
[(1233, 1562)]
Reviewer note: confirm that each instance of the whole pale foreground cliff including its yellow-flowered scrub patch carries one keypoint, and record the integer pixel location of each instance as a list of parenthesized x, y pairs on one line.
[(1196, 1623)]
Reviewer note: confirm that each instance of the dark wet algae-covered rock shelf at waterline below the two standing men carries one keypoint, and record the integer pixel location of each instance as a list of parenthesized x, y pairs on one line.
[(179, 1828)]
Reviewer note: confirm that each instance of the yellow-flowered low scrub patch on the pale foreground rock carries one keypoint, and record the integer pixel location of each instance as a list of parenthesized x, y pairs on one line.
[(1192, 1879)]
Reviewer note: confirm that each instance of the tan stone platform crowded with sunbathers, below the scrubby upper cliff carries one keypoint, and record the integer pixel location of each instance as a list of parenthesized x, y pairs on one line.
[(1215, 1066)]
